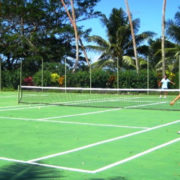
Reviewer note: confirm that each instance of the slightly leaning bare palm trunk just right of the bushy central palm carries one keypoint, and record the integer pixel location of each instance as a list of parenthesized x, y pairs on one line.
[(133, 36)]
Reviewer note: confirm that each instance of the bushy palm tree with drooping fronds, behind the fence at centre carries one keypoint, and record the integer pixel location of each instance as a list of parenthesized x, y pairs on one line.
[(118, 49)]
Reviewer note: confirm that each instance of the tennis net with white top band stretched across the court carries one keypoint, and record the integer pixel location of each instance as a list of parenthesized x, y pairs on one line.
[(100, 97)]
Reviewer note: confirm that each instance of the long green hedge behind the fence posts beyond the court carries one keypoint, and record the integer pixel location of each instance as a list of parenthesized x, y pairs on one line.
[(100, 78)]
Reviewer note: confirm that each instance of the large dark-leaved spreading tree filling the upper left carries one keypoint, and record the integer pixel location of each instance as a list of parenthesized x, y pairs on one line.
[(39, 29)]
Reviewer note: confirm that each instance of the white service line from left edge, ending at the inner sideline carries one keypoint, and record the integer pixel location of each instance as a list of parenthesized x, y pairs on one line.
[(76, 123)]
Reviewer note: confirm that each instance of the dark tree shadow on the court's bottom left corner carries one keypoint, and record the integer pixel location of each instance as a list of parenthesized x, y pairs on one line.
[(27, 172)]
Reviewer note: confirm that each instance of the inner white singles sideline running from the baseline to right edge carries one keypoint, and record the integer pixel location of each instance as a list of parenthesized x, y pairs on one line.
[(103, 142)]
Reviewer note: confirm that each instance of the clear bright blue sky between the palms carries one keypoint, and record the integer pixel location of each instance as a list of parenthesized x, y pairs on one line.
[(148, 11)]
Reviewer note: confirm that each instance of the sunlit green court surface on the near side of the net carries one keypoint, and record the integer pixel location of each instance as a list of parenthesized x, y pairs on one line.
[(91, 143)]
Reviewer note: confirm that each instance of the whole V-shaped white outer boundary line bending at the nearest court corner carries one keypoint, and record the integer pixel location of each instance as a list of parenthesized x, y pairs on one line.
[(99, 169)]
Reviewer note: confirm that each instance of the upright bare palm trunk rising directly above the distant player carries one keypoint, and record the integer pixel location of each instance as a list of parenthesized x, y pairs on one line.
[(163, 38)]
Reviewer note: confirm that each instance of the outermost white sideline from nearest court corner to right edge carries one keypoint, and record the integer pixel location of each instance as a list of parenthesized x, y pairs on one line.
[(136, 156)]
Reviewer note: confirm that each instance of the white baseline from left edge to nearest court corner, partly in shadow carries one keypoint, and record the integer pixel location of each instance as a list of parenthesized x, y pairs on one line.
[(47, 165)]
